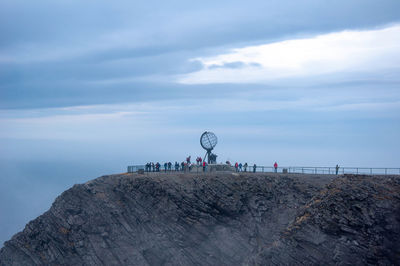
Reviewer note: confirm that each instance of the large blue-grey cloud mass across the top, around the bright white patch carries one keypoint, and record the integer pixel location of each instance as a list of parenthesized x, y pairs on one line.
[(132, 40)]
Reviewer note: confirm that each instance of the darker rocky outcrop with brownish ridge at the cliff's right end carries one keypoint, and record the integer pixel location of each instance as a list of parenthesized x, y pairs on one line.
[(354, 221)]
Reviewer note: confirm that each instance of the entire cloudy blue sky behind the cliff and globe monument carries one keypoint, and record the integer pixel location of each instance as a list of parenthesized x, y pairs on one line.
[(89, 87)]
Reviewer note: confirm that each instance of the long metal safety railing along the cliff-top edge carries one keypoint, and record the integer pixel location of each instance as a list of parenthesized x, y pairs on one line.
[(292, 169)]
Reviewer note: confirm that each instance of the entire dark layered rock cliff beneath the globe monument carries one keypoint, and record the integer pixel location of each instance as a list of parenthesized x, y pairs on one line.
[(216, 219)]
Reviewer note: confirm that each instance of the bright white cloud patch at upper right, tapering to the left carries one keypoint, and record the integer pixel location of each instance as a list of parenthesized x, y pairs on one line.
[(339, 52)]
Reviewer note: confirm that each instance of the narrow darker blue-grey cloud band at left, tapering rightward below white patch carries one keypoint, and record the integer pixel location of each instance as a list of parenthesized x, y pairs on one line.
[(71, 93)]
